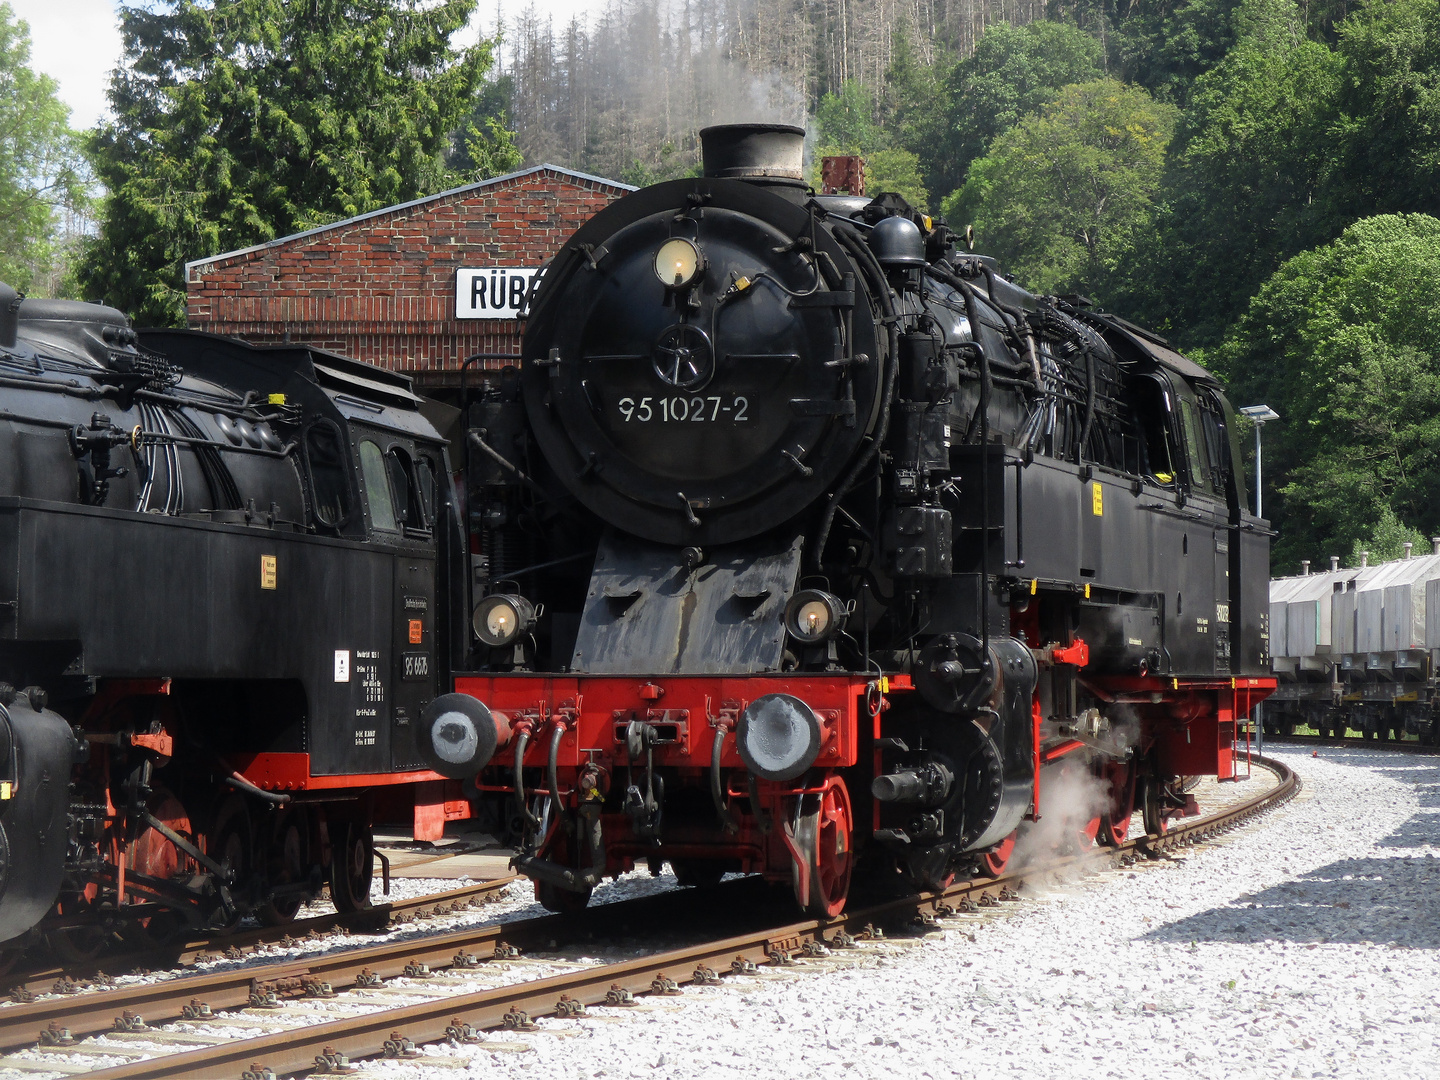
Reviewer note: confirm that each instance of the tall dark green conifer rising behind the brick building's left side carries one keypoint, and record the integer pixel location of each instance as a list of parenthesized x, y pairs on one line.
[(238, 122)]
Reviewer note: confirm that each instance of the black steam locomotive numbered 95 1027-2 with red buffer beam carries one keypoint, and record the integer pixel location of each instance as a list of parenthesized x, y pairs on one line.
[(813, 541)]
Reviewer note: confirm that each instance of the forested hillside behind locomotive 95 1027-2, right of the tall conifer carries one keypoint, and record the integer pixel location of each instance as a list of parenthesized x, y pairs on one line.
[(1222, 171)]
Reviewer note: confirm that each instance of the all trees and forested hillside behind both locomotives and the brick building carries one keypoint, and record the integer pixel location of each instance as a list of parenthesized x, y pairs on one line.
[(1255, 179)]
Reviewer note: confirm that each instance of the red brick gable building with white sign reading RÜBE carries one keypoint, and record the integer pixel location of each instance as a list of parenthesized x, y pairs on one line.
[(408, 287)]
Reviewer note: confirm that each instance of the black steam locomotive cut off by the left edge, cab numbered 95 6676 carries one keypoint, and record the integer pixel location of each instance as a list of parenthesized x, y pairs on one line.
[(222, 610)]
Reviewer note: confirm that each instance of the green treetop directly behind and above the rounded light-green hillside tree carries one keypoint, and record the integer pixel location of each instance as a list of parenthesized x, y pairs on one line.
[(1012, 74)]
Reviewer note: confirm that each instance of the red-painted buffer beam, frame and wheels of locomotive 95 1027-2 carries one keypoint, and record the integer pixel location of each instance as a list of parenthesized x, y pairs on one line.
[(1189, 724)]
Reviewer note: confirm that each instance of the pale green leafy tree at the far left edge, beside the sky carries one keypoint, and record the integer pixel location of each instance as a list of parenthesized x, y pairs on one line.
[(41, 166)]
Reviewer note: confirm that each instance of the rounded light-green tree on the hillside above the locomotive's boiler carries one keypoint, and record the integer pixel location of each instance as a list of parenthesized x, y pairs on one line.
[(1061, 197)]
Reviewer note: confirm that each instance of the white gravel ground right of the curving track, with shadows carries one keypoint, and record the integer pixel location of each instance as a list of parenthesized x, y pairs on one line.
[(1301, 947)]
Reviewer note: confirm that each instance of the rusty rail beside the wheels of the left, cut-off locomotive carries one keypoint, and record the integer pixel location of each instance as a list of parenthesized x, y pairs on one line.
[(25, 983)]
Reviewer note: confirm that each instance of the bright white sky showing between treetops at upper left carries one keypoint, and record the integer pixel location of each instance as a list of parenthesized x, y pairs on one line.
[(78, 42)]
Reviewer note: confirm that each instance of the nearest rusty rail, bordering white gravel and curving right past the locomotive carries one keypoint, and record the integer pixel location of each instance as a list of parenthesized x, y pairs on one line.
[(431, 1022)]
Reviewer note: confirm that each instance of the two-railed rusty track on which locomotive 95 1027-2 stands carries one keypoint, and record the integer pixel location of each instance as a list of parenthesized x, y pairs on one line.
[(388, 1000)]
